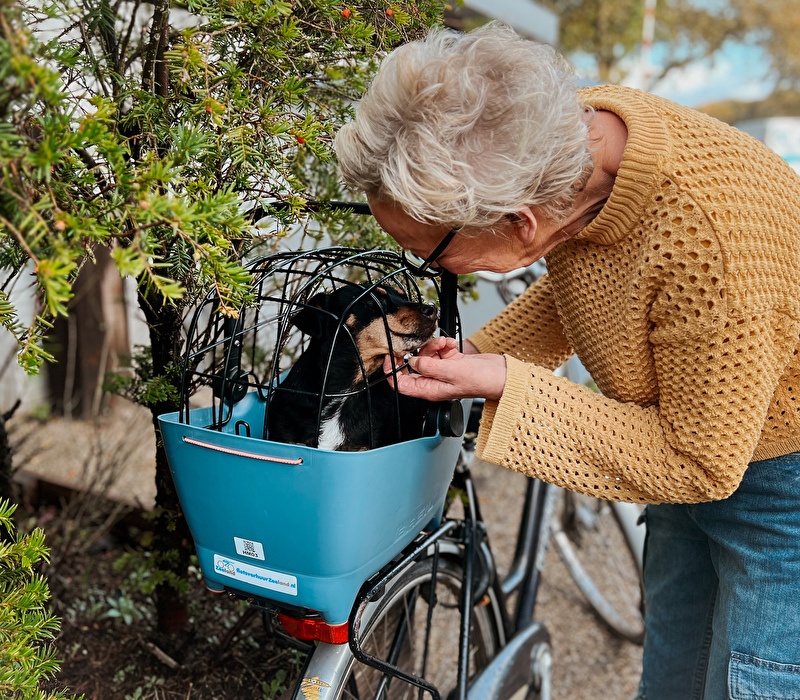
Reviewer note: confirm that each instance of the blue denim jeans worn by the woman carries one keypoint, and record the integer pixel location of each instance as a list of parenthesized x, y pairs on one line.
[(722, 591)]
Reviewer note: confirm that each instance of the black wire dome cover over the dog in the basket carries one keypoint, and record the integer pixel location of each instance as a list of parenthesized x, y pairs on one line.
[(226, 358)]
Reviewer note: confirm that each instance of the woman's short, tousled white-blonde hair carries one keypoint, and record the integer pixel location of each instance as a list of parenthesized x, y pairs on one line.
[(463, 129)]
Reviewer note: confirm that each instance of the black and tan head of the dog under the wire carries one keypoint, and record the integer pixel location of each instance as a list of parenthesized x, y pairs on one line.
[(379, 319)]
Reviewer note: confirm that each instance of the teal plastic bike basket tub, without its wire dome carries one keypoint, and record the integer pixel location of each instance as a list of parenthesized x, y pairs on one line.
[(297, 525)]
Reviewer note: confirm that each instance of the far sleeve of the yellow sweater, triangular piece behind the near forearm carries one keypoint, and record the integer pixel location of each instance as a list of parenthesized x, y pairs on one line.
[(528, 329)]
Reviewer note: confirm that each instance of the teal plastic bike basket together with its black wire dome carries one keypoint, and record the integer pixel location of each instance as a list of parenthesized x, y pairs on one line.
[(293, 524)]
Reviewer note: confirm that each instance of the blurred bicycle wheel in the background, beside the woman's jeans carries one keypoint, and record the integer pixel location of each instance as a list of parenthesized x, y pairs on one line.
[(600, 545)]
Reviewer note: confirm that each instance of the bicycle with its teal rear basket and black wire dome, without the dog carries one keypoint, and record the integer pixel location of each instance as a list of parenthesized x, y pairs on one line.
[(430, 617)]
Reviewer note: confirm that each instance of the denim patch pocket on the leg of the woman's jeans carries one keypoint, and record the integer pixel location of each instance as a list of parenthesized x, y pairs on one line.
[(751, 678)]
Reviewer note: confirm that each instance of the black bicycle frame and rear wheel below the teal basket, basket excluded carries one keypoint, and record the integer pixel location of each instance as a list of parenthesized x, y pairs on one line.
[(393, 633)]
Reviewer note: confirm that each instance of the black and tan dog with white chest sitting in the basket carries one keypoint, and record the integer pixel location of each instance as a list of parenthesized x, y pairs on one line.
[(343, 361)]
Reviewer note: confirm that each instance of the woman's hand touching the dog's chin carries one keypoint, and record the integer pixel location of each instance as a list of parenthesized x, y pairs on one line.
[(440, 372)]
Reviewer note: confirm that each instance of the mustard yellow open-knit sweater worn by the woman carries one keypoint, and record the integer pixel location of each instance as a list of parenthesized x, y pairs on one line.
[(682, 299)]
